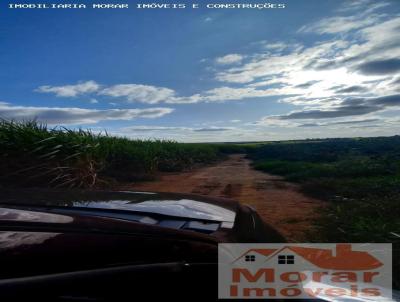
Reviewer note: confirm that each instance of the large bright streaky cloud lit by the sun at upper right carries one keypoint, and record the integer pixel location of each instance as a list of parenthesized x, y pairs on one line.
[(308, 76)]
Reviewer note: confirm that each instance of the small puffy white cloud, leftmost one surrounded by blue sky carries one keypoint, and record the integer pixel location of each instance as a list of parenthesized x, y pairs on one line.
[(70, 90)]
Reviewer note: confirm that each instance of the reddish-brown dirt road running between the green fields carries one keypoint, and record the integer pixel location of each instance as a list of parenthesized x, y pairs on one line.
[(280, 203)]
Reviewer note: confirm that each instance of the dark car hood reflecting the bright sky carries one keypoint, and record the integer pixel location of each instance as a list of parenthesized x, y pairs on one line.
[(175, 205)]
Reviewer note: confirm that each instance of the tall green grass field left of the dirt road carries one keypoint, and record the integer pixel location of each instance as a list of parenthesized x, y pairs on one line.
[(33, 154)]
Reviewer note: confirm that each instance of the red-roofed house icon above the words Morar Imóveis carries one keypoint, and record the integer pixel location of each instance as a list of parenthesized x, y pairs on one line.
[(341, 258)]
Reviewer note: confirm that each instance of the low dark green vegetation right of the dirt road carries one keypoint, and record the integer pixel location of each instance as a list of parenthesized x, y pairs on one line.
[(360, 177)]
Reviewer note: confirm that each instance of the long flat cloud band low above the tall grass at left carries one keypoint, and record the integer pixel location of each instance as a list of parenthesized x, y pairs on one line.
[(64, 116)]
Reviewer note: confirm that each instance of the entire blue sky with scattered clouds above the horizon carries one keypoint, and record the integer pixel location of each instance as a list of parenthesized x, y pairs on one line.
[(313, 69)]
